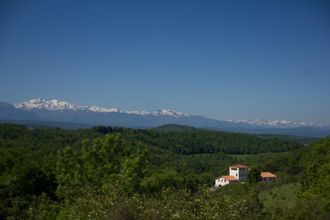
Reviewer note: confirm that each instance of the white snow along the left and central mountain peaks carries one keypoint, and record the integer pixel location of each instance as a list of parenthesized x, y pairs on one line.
[(56, 105)]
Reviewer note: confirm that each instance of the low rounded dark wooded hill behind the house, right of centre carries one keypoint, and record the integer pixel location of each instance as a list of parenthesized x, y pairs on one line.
[(188, 140)]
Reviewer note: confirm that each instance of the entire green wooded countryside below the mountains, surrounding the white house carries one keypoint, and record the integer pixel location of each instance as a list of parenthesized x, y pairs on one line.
[(163, 173)]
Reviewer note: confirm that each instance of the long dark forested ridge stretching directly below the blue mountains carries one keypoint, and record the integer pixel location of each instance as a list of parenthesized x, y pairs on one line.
[(177, 139)]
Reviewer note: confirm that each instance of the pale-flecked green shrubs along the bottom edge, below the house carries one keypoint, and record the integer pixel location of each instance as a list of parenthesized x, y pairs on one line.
[(236, 202)]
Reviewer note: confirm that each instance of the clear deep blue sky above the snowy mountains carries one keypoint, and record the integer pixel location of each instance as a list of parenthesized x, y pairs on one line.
[(221, 59)]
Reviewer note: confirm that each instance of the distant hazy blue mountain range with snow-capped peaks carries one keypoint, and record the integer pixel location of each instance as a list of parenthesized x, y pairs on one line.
[(57, 112)]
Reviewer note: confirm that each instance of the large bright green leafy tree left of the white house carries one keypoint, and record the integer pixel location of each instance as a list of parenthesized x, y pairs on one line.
[(101, 160)]
